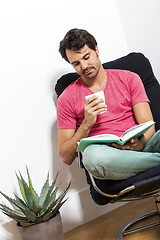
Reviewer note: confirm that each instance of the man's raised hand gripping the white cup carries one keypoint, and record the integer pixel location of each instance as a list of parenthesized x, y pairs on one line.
[(92, 108)]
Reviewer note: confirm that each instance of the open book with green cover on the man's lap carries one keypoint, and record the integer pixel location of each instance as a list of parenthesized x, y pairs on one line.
[(135, 131)]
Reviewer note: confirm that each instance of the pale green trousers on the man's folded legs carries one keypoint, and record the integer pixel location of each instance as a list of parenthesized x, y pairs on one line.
[(105, 162)]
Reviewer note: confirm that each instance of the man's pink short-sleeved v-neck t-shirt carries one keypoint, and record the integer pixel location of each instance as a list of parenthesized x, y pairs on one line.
[(123, 90)]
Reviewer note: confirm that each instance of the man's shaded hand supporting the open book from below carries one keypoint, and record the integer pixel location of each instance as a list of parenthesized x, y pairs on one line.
[(135, 144)]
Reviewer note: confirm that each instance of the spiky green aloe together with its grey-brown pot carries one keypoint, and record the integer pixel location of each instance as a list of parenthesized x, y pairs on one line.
[(37, 216)]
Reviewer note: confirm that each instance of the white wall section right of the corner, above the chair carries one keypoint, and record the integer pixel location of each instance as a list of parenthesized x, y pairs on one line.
[(140, 20)]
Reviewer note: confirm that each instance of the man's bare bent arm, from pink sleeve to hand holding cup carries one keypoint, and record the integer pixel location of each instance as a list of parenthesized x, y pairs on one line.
[(68, 138)]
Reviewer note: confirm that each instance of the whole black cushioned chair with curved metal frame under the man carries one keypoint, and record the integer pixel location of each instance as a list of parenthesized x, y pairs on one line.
[(145, 184)]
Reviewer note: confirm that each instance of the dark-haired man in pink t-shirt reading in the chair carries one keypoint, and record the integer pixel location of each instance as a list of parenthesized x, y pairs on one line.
[(126, 105)]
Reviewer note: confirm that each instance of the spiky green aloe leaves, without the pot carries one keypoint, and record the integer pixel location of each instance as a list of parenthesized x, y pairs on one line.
[(33, 208)]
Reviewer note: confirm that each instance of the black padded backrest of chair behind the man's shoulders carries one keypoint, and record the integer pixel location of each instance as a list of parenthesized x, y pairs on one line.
[(135, 62)]
